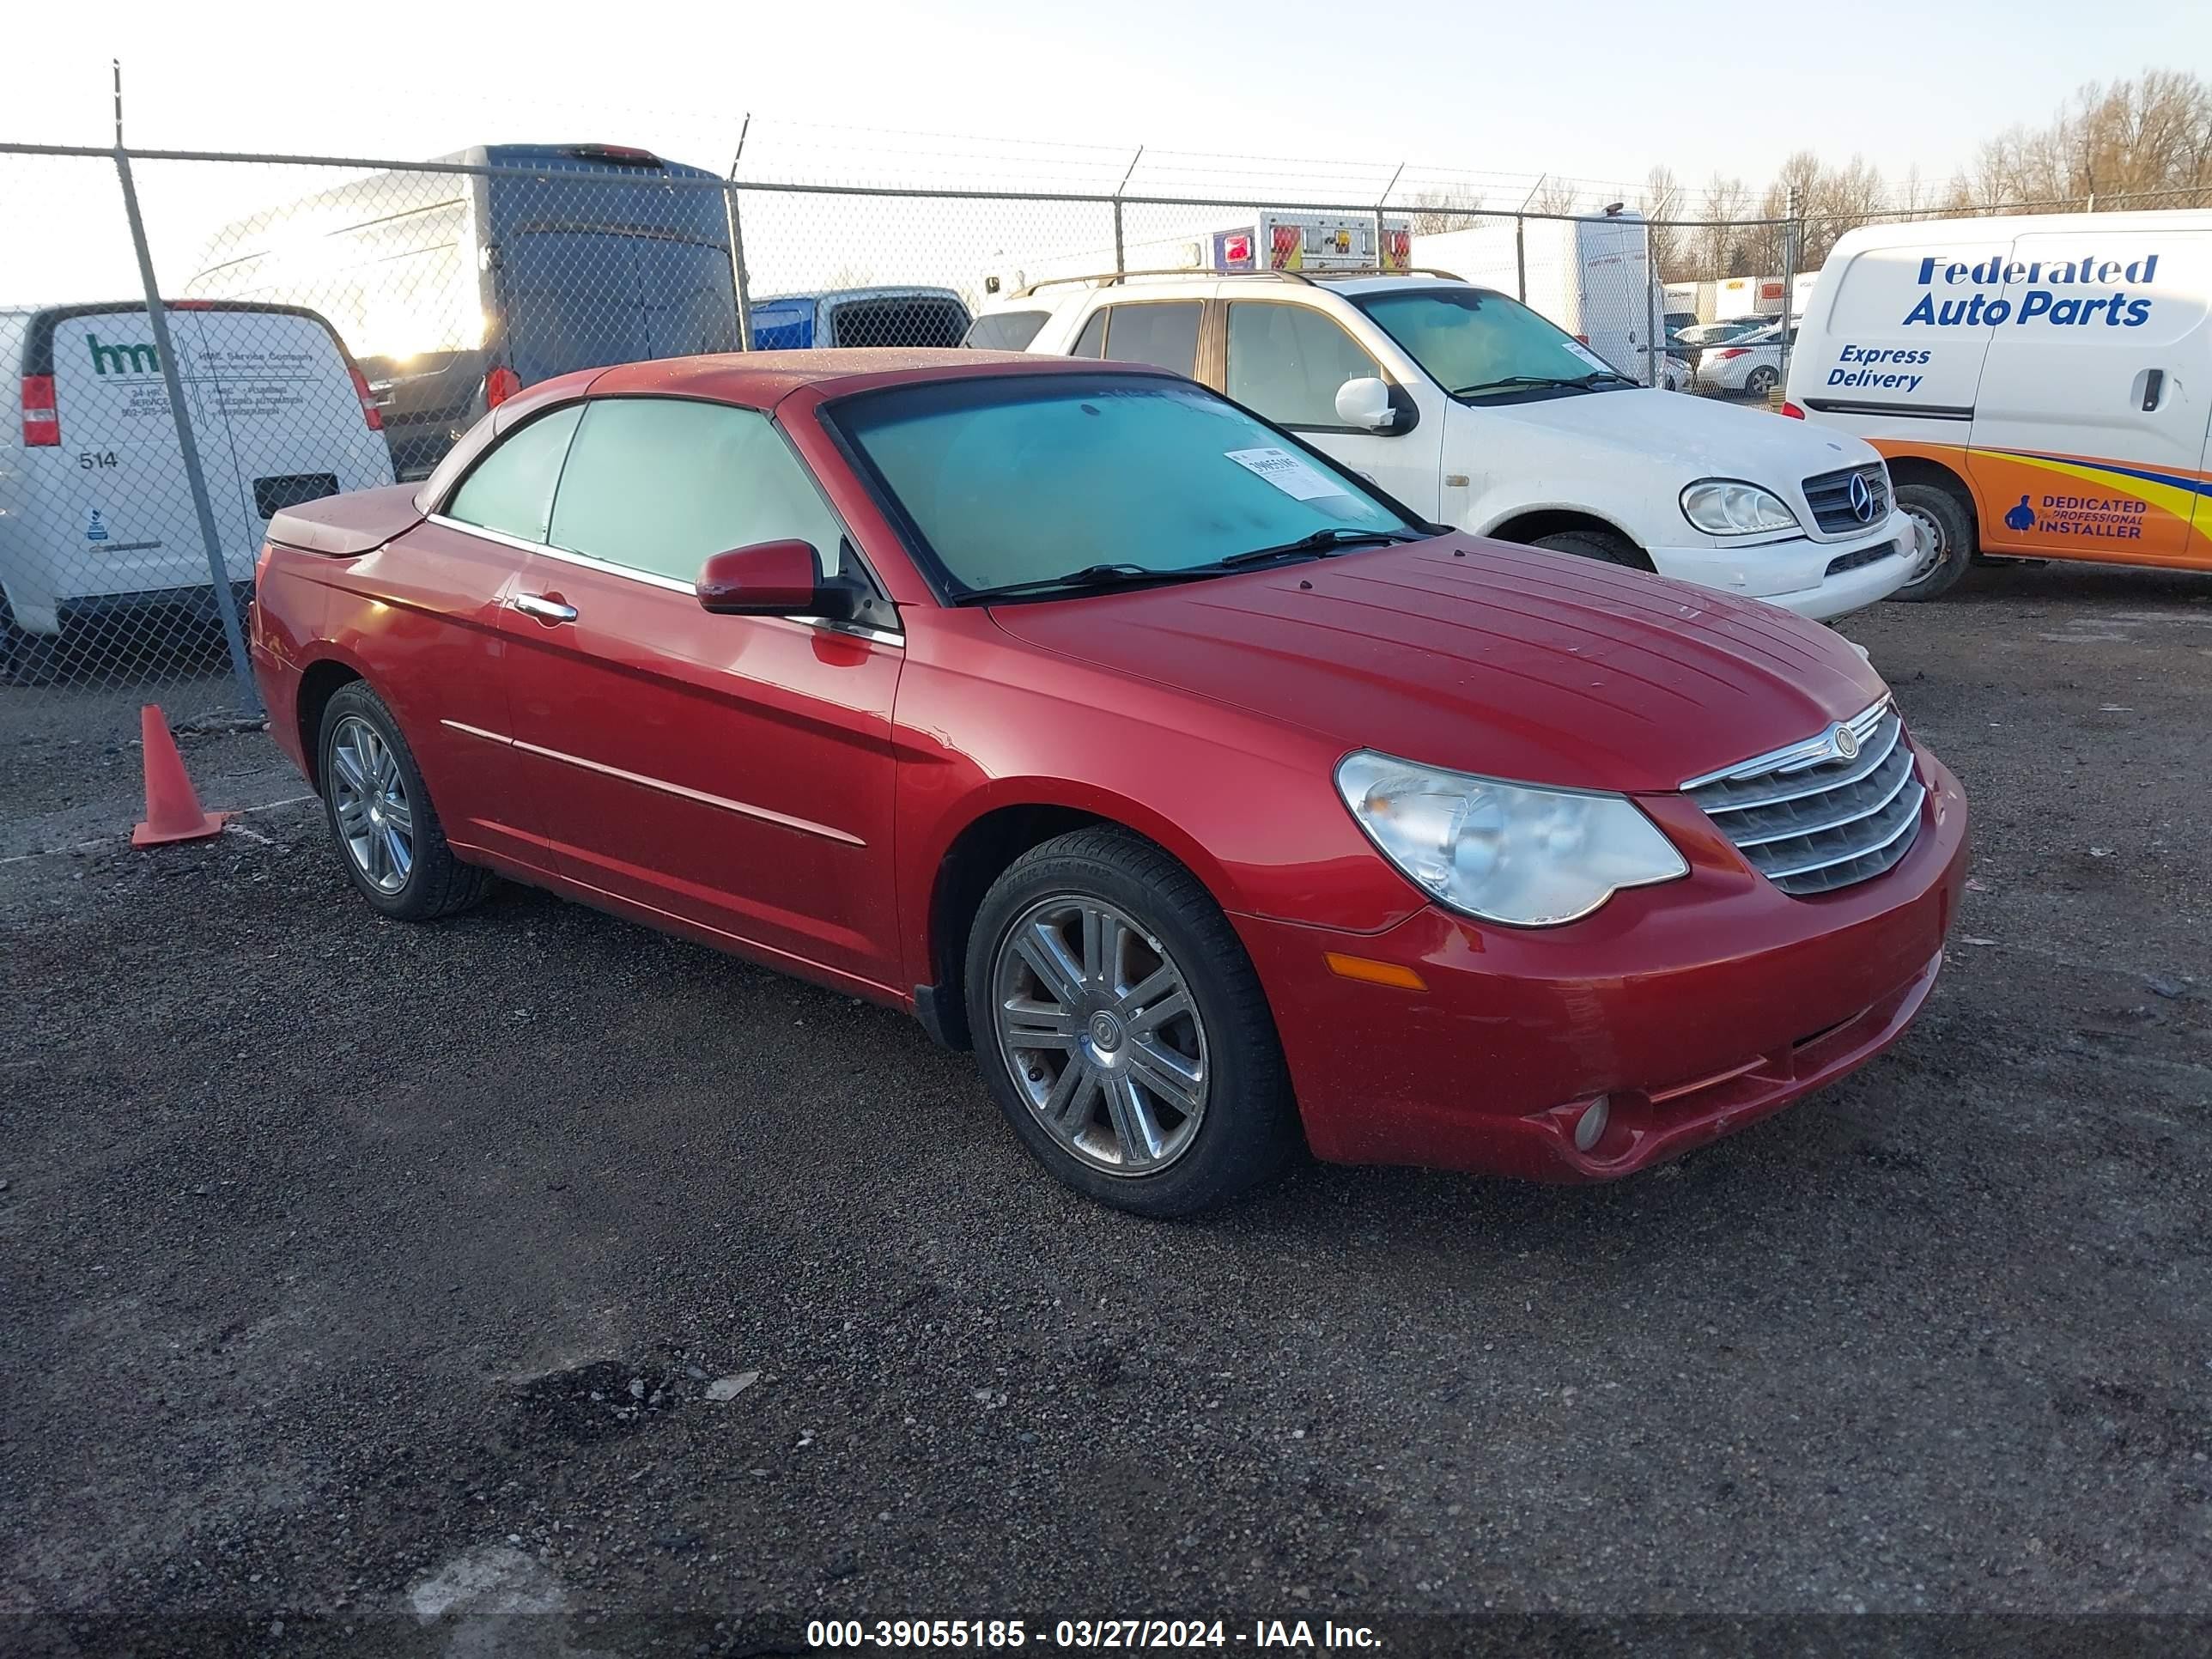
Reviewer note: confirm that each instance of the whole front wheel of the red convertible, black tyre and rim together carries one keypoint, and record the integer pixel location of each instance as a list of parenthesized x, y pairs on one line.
[(1089, 1100)]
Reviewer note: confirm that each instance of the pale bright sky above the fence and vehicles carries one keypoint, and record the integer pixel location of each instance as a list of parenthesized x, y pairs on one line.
[(1282, 103)]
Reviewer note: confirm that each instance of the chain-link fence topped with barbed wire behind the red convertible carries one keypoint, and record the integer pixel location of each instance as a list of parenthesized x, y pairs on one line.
[(191, 344)]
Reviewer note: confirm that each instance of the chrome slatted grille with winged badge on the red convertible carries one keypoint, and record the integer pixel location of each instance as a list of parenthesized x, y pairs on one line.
[(1813, 822)]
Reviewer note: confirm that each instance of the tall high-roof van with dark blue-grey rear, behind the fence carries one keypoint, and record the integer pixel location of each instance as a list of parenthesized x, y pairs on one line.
[(459, 289)]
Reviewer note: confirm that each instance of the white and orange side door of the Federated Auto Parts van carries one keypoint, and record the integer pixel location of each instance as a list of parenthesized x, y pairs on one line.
[(2089, 430)]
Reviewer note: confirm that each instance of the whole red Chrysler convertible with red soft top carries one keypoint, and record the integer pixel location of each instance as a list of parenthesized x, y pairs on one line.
[(1209, 795)]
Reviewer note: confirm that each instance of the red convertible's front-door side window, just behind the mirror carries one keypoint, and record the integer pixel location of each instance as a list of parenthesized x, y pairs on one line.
[(660, 486)]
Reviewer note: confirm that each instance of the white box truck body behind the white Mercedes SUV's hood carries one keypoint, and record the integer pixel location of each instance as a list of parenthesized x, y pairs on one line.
[(1594, 278)]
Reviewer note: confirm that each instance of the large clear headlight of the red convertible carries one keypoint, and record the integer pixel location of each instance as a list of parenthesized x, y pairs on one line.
[(1501, 851)]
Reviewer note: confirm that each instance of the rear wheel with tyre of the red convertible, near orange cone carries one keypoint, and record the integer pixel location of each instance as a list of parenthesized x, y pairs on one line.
[(424, 884)]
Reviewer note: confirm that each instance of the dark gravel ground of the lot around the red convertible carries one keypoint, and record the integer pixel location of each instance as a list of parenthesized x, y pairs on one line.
[(368, 1286)]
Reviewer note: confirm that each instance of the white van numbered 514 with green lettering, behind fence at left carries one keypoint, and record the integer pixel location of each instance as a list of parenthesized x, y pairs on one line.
[(96, 517)]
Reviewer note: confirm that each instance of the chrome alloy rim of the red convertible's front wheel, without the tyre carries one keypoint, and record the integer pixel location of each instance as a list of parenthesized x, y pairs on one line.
[(1103, 1036)]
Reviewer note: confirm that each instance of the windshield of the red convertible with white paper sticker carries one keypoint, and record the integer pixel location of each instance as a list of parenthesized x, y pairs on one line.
[(1083, 481)]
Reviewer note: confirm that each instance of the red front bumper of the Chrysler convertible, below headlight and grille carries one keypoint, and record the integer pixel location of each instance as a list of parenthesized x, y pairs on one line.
[(1695, 1010)]
